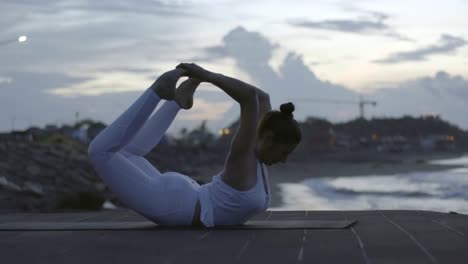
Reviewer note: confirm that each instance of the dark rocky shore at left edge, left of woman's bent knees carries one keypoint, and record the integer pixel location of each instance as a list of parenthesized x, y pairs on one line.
[(44, 177)]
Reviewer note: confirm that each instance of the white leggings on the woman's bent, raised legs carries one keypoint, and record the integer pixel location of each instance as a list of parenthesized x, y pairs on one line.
[(117, 156)]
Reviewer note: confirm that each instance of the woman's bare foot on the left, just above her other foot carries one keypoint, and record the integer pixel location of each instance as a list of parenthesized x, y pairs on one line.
[(165, 85)]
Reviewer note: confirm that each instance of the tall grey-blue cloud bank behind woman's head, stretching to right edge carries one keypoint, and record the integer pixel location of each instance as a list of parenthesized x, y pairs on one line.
[(441, 94)]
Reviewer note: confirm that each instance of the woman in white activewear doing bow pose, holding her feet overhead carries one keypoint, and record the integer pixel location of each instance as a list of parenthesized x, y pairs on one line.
[(235, 194)]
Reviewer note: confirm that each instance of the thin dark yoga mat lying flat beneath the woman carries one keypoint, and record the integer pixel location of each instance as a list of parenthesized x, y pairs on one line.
[(147, 225)]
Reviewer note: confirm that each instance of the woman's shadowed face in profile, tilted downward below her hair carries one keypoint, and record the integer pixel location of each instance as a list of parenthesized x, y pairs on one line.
[(270, 152)]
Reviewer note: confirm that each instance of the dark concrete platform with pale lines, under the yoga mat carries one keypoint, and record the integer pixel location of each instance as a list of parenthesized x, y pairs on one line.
[(377, 237)]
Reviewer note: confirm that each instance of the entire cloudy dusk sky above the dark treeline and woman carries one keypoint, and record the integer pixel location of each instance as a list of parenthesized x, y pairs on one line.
[(95, 58)]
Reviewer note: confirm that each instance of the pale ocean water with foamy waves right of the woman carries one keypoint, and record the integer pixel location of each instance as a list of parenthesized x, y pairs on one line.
[(441, 191)]
